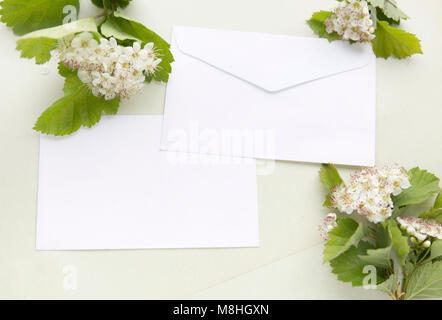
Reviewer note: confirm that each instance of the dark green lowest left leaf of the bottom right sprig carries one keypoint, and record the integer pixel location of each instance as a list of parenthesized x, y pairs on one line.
[(349, 267)]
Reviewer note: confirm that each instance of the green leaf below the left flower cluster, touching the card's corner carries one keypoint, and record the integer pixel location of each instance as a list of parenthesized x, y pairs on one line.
[(79, 107)]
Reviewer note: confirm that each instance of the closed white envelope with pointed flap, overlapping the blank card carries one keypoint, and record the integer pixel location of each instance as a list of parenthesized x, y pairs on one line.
[(270, 96)]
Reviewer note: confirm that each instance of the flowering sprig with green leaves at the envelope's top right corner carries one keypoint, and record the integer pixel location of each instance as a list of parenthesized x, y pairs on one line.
[(373, 21)]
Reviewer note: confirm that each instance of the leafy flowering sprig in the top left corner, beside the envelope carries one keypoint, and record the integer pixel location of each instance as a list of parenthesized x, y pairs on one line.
[(103, 59)]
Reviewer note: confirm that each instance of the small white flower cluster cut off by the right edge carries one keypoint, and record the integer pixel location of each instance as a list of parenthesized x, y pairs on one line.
[(422, 231)]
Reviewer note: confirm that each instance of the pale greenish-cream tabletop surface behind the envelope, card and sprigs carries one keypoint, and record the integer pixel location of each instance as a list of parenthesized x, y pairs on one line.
[(408, 131)]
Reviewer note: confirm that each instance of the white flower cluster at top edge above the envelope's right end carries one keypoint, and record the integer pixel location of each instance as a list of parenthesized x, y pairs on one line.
[(352, 21)]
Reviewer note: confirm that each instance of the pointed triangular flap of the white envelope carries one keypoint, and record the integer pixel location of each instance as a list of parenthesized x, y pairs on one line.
[(271, 62)]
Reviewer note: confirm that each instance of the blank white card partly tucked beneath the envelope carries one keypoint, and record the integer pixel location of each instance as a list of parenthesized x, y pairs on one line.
[(110, 187)]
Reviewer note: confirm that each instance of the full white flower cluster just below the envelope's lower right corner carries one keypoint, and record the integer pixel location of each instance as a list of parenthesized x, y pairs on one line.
[(369, 192)]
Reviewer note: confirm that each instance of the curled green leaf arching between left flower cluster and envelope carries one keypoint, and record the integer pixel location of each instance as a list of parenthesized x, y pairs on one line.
[(123, 29)]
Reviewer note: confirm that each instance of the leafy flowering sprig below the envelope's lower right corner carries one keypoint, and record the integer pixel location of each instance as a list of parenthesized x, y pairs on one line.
[(402, 247)]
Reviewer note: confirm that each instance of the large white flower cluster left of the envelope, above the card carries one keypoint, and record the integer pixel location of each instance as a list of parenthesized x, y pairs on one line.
[(109, 70)]
